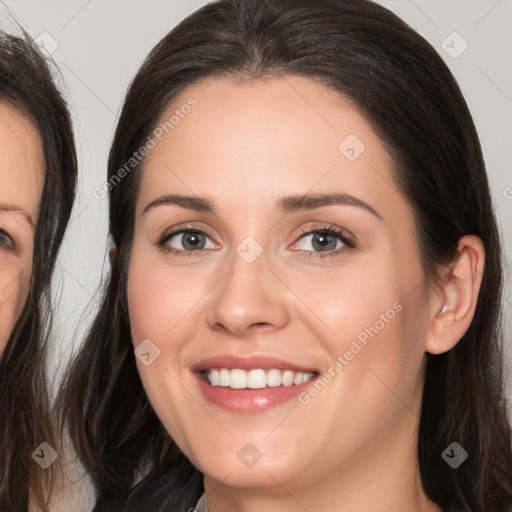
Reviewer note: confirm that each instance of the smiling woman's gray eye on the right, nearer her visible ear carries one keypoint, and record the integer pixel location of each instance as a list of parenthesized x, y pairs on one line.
[(325, 241)]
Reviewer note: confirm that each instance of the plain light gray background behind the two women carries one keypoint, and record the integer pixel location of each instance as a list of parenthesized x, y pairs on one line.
[(101, 44)]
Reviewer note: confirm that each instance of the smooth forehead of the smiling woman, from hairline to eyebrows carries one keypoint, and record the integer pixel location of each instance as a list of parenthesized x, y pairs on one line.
[(246, 142)]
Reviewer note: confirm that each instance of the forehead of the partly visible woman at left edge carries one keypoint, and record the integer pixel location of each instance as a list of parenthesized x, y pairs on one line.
[(21, 160)]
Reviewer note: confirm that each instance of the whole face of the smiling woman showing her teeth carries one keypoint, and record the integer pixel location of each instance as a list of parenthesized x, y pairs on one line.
[(270, 244)]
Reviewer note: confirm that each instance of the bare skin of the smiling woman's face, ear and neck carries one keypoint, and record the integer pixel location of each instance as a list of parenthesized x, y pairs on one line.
[(353, 445)]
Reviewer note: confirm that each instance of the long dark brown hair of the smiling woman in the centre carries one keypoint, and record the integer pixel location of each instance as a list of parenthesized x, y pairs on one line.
[(403, 88)]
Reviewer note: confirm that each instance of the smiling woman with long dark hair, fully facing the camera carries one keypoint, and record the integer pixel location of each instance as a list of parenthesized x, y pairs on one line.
[(304, 303)]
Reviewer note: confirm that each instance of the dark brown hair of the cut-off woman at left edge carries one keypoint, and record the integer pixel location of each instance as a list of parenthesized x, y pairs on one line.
[(26, 83)]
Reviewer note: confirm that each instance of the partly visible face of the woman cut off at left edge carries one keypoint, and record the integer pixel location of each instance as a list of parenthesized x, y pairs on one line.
[(21, 173)]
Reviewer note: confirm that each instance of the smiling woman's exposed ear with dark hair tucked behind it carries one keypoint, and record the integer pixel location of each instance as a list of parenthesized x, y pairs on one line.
[(460, 285)]
